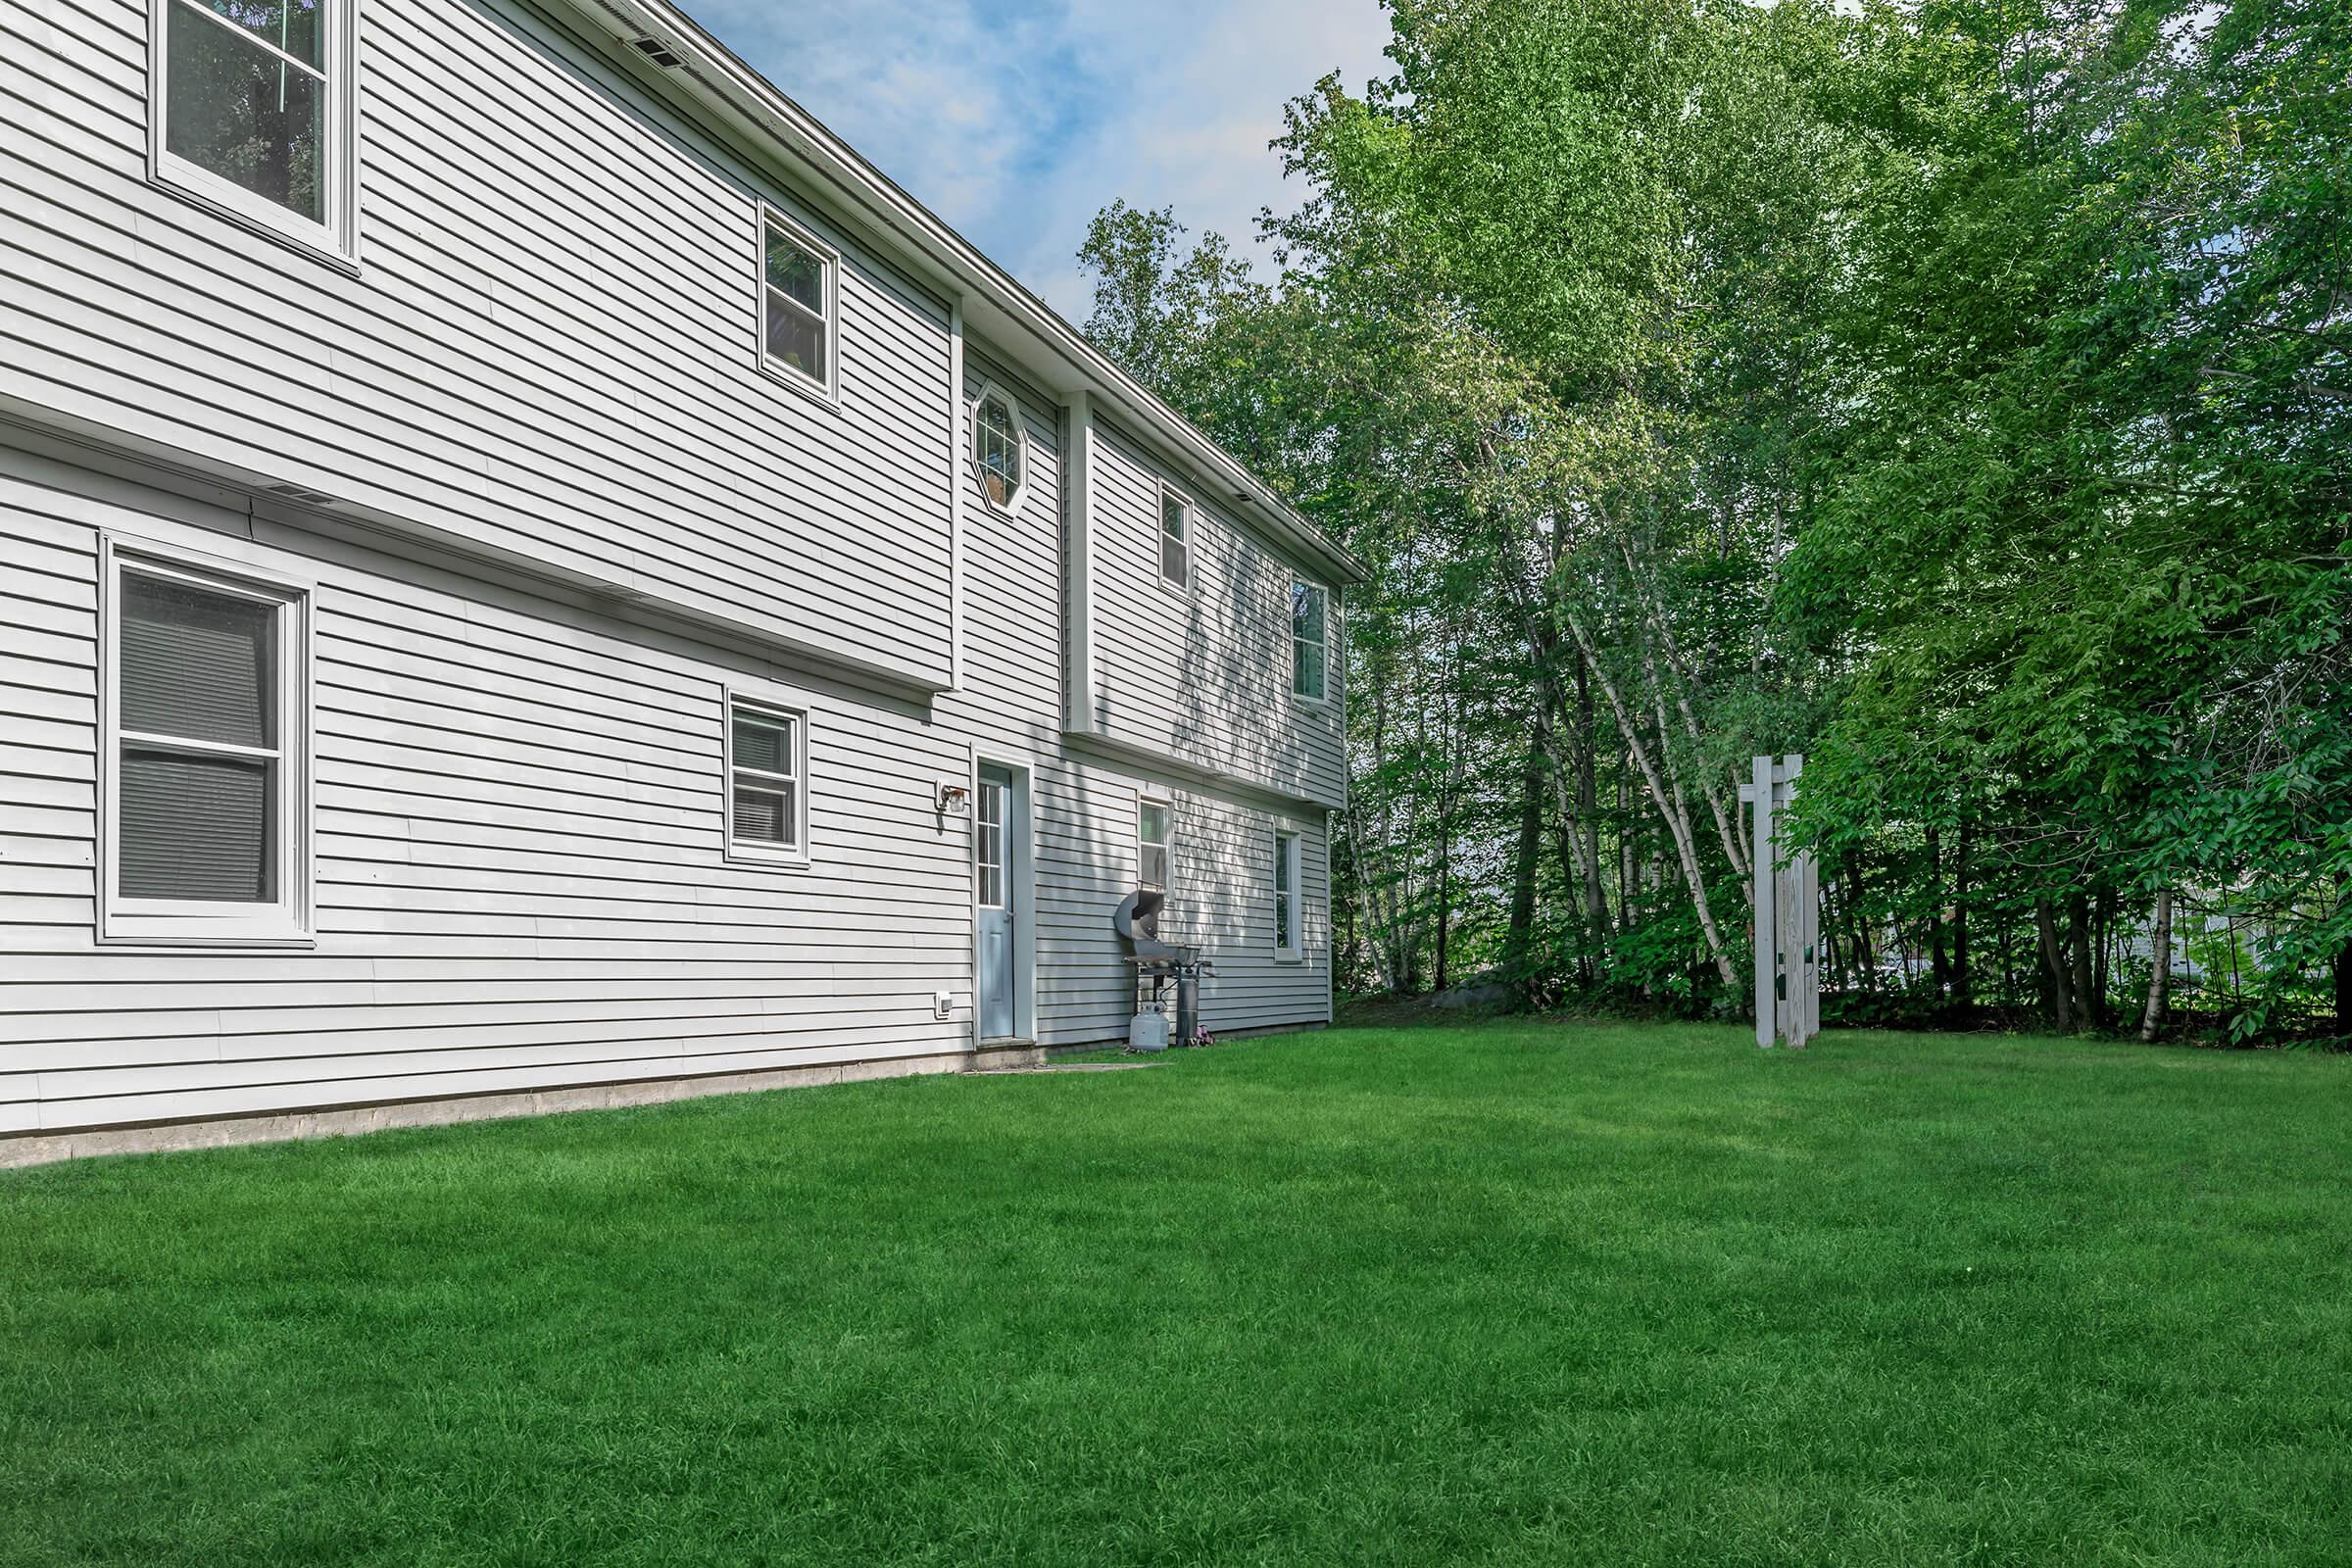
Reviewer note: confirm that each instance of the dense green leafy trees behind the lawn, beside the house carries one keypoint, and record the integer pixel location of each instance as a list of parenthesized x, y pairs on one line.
[(1958, 394)]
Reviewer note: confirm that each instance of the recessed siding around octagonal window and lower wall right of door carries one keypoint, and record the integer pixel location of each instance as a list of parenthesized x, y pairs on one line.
[(1083, 810)]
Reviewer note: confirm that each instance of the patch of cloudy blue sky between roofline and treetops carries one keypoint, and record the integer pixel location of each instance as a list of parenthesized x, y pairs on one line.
[(1017, 123)]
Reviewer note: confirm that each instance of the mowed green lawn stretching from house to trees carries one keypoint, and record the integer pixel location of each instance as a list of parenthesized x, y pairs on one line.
[(1518, 1294)]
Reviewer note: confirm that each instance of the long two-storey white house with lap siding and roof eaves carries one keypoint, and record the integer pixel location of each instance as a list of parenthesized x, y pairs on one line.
[(533, 577)]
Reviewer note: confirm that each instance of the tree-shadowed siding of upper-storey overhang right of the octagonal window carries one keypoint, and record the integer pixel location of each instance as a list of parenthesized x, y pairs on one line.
[(1201, 674)]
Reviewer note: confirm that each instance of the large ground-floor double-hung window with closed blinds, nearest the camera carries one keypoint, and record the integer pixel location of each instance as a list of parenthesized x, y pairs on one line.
[(206, 772)]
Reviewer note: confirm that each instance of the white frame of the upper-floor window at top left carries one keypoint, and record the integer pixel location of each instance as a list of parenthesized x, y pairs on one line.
[(338, 239)]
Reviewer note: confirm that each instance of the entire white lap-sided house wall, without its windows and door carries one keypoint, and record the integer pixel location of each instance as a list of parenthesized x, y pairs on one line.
[(573, 514)]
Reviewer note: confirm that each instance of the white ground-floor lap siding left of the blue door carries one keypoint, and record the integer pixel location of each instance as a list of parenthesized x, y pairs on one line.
[(519, 864)]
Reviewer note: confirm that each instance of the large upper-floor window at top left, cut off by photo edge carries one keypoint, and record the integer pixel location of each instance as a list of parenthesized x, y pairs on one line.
[(253, 109)]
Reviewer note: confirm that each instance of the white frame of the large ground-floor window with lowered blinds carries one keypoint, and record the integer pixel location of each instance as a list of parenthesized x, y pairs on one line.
[(196, 923)]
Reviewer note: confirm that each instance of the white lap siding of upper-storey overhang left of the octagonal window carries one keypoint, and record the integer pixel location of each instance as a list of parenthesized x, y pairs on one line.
[(552, 347)]
